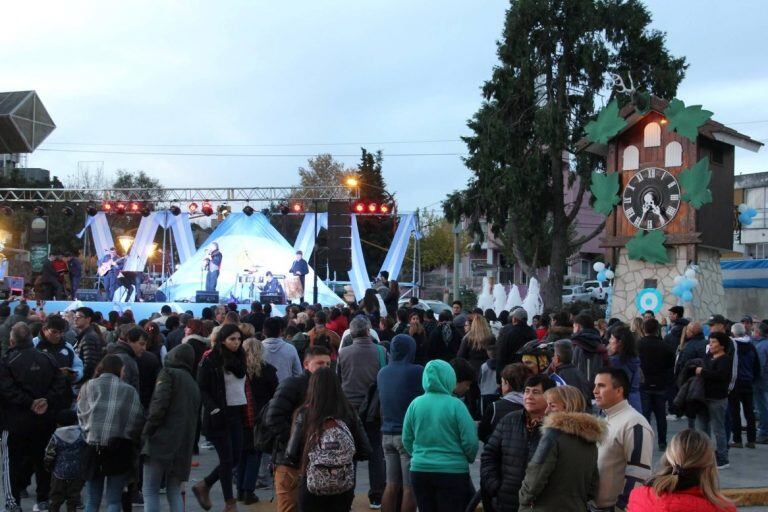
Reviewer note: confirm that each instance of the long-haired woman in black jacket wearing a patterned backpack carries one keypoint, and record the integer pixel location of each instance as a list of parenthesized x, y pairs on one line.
[(326, 438)]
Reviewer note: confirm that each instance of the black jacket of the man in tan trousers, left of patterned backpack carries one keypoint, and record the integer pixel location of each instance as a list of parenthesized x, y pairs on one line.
[(289, 396)]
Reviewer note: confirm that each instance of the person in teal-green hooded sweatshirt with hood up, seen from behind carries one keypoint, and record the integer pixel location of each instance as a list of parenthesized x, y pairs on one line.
[(441, 437)]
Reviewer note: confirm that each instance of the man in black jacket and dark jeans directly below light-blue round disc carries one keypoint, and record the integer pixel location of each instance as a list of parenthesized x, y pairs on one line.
[(657, 361)]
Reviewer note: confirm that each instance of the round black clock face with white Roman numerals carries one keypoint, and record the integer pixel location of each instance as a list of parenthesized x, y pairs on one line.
[(651, 199)]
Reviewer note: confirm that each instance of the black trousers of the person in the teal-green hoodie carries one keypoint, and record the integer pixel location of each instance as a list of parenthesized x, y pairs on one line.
[(441, 492)]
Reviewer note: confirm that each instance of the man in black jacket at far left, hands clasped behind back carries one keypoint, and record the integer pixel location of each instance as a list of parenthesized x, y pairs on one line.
[(32, 390)]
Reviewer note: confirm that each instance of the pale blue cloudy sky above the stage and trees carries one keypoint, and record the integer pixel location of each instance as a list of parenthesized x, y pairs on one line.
[(288, 80)]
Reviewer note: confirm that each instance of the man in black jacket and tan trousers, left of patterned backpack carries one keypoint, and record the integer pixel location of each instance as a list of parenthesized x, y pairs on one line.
[(278, 420)]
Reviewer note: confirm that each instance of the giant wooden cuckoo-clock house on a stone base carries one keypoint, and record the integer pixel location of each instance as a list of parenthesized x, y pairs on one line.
[(649, 159)]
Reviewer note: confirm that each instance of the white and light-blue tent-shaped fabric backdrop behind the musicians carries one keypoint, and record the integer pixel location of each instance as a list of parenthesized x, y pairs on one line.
[(245, 242)]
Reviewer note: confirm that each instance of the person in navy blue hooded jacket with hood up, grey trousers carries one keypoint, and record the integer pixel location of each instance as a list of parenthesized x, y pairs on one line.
[(399, 383)]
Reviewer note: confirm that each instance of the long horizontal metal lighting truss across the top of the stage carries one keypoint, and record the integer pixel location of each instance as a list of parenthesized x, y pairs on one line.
[(177, 195)]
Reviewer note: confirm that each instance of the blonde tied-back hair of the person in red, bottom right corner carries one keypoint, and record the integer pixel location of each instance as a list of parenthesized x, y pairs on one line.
[(690, 452)]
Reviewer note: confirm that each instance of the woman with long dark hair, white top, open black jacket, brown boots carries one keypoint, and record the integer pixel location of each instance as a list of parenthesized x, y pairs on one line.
[(221, 378)]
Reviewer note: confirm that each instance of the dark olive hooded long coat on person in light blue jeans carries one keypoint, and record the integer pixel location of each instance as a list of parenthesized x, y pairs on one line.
[(169, 433)]
